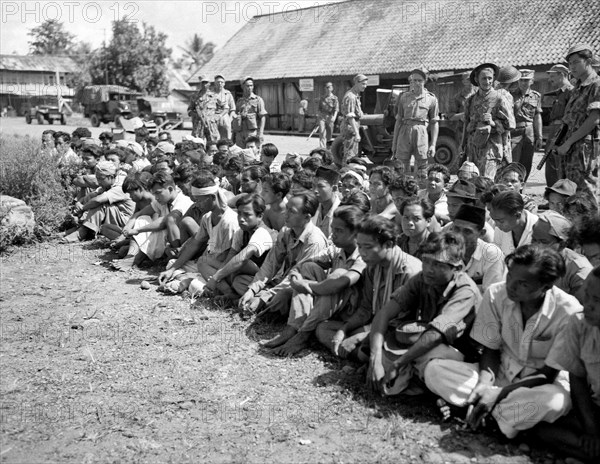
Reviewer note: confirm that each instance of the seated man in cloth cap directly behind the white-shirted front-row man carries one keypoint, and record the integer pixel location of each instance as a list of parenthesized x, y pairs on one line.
[(553, 230)]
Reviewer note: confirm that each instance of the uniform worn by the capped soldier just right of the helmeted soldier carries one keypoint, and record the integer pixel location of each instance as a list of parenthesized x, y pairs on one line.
[(526, 107)]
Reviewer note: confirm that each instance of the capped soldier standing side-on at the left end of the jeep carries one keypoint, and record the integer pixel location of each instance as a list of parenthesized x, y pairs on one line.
[(352, 112)]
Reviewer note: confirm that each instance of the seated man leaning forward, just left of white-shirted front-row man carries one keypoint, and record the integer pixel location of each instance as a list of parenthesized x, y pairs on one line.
[(439, 302)]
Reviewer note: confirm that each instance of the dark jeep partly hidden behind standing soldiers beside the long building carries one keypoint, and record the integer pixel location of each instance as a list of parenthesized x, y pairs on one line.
[(377, 132)]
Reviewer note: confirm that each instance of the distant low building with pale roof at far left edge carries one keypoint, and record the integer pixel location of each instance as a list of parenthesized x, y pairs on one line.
[(33, 75)]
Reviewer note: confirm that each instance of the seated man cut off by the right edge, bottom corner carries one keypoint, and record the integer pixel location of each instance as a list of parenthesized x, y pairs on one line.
[(576, 351)]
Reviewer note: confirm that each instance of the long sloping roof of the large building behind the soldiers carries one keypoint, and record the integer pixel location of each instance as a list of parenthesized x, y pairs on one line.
[(395, 36)]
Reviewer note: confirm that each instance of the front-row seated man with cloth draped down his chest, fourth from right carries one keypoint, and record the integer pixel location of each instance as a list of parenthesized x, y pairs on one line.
[(388, 268)]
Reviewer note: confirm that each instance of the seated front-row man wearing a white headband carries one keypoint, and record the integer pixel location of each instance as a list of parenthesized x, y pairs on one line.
[(212, 242)]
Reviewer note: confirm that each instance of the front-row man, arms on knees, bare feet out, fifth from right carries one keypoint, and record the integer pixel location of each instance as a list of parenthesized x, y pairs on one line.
[(318, 294)]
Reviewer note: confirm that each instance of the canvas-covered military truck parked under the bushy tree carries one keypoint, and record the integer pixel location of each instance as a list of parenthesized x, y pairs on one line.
[(108, 103)]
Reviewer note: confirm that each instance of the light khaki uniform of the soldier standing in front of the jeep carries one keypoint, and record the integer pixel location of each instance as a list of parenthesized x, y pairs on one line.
[(414, 113)]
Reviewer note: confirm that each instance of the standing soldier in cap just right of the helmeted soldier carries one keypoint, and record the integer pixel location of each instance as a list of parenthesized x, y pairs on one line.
[(527, 135)]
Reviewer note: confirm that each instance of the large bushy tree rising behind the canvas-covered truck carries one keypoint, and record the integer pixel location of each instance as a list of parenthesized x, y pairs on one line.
[(134, 58)]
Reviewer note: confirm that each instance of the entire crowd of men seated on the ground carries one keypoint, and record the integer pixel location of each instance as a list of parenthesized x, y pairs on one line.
[(463, 288)]
